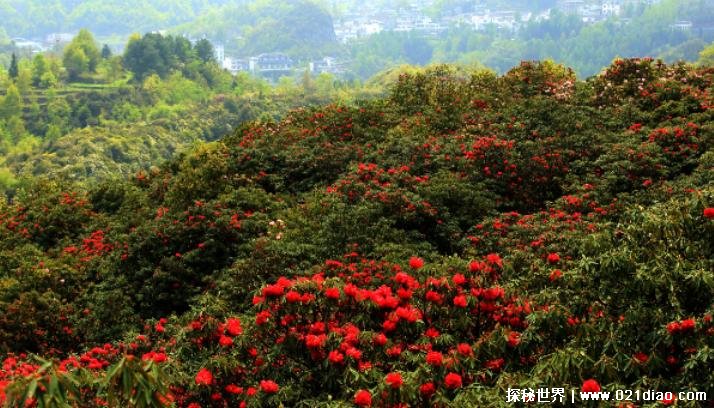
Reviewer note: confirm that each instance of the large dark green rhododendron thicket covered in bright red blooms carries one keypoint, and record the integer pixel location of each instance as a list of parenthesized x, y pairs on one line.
[(459, 237)]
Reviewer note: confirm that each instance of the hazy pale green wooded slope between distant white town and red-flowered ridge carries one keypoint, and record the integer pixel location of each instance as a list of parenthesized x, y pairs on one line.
[(563, 37)]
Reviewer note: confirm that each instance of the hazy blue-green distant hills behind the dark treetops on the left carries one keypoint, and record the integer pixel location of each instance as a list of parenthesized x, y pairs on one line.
[(298, 27)]
